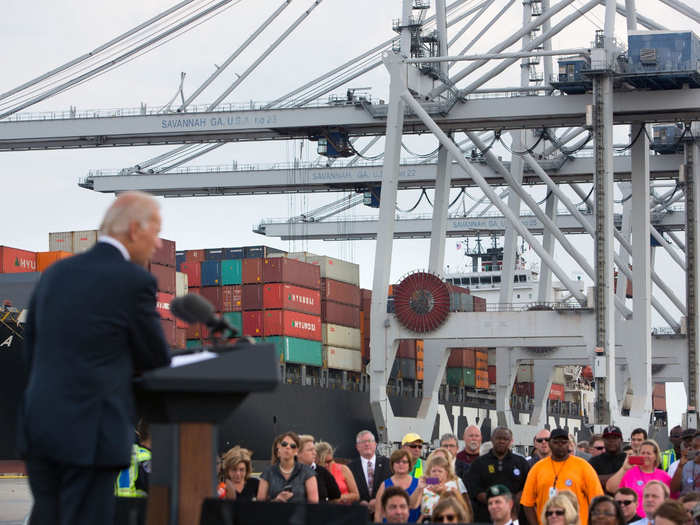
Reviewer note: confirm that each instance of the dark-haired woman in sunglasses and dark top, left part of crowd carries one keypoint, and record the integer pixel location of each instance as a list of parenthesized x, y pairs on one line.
[(287, 480)]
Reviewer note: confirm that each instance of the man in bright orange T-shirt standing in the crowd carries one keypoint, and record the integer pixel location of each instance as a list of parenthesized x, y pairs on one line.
[(559, 471)]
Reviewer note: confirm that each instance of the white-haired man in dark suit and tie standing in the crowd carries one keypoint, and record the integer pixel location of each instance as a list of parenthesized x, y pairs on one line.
[(369, 470)]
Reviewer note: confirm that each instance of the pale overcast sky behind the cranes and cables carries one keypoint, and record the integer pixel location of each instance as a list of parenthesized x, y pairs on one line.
[(39, 189)]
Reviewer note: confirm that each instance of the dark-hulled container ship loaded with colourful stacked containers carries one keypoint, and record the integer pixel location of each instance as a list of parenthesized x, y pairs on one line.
[(313, 310)]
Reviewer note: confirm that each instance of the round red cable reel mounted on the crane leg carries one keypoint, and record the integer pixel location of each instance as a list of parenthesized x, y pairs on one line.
[(421, 302)]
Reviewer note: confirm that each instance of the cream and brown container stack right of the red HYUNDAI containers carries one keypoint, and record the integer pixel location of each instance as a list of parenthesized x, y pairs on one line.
[(340, 311)]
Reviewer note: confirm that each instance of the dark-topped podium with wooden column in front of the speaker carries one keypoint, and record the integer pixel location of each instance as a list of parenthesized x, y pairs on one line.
[(183, 404)]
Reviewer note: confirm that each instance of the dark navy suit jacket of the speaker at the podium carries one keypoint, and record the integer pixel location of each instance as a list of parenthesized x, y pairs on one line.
[(92, 322)]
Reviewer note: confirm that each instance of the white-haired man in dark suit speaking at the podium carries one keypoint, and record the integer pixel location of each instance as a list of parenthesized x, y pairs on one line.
[(92, 323)]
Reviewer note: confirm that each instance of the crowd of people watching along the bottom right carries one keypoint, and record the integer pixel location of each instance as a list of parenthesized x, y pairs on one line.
[(601, 481)]
